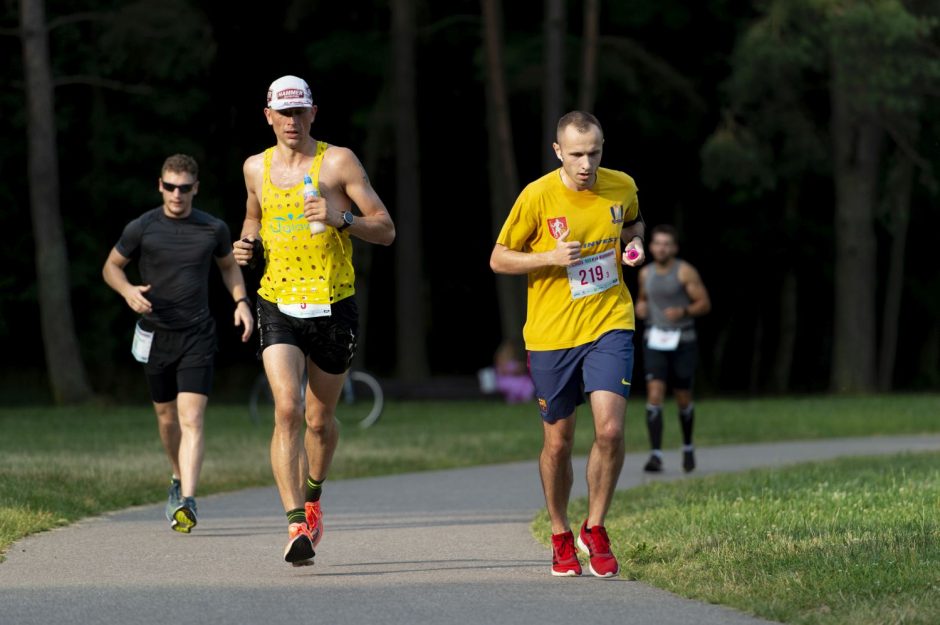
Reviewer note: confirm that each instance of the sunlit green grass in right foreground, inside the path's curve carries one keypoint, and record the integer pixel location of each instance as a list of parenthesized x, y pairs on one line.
[(853, 541)]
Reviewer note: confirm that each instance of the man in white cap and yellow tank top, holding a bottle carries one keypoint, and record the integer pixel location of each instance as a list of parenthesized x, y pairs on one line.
[(307, 316)]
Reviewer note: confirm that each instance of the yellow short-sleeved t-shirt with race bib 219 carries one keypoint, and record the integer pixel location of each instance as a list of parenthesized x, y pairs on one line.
[(574, 306)]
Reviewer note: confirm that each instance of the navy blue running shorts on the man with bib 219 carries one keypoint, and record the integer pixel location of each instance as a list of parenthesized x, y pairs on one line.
[(563, 376)]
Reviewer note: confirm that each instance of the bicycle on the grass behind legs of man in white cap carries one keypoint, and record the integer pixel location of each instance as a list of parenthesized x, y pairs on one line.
[(360, 404)]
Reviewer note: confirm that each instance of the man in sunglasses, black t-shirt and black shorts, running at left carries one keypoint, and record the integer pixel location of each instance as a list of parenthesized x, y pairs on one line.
[(175, 337)]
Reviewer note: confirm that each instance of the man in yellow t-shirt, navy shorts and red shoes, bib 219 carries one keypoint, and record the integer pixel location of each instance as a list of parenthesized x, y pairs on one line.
[(564, 232)]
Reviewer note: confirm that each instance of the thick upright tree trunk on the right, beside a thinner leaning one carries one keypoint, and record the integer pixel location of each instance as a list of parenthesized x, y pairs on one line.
[(857, 141)]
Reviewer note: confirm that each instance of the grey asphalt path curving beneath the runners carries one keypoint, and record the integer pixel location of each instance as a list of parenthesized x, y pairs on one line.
[(444, 547)]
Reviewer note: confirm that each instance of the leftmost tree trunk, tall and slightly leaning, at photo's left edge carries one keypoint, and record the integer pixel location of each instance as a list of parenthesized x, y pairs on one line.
[(67, 375)]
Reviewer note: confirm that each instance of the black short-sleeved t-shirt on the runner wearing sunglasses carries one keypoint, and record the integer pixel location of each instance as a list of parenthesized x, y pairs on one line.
[(174, 257)]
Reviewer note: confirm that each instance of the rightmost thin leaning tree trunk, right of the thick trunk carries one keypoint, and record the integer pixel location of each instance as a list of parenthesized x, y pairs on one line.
[(899, 202)]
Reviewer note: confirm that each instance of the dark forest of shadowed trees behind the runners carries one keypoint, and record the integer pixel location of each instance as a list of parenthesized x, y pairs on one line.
[(794, 143)]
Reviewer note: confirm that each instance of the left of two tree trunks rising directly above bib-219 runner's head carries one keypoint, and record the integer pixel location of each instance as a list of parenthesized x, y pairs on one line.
[(553, 78)]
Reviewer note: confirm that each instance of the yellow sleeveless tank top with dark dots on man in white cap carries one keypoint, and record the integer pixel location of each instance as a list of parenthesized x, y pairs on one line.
[(301, 267)]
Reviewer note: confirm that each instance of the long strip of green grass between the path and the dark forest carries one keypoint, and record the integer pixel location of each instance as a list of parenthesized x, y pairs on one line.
[(62, 464)]
